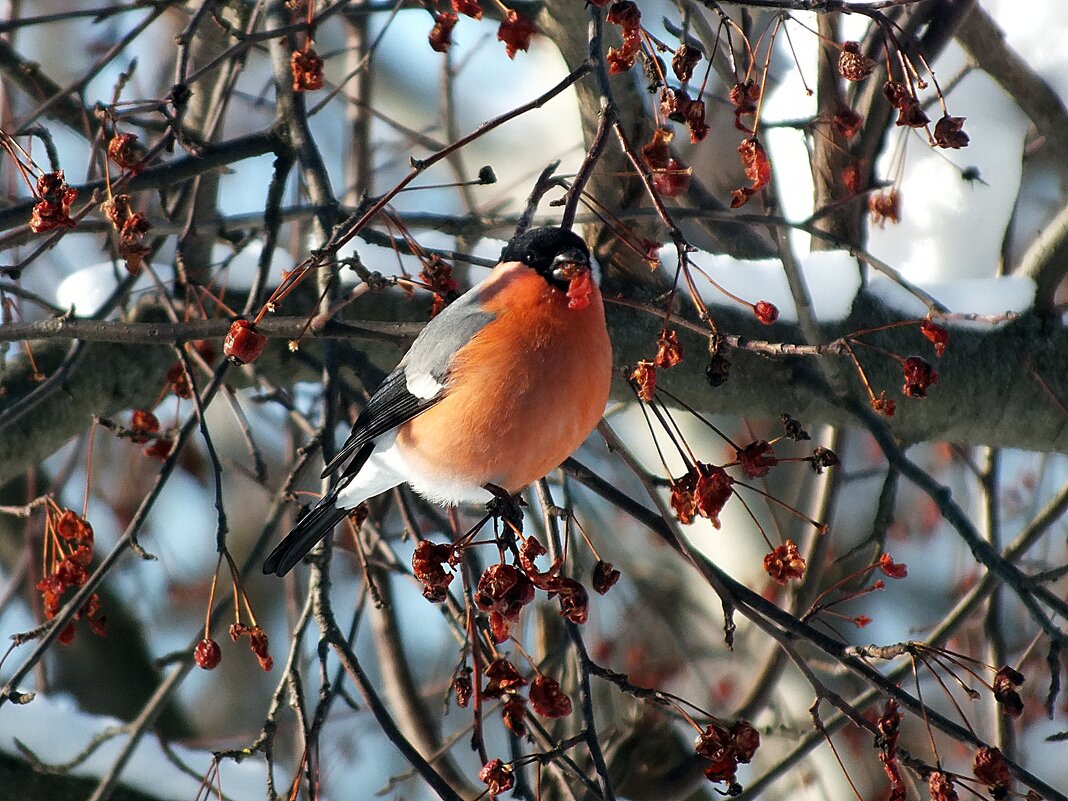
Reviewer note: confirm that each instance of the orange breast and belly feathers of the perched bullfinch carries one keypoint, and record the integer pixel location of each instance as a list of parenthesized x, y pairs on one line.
[(524, 395)]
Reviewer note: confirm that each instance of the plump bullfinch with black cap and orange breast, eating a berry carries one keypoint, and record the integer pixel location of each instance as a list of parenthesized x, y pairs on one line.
[(497, 391)]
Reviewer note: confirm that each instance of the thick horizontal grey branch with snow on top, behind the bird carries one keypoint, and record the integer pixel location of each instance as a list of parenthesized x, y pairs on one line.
[(986, 395)]
